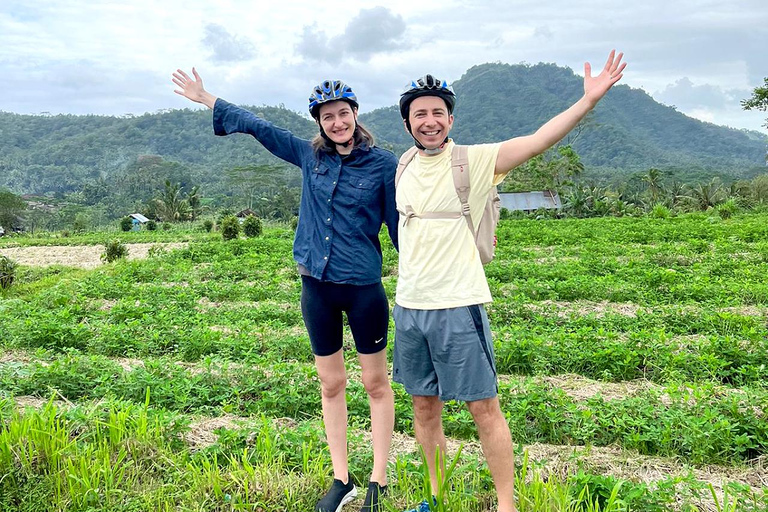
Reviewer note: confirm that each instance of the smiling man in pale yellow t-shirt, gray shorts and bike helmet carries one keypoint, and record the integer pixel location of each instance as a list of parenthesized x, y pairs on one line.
[(443, 346)]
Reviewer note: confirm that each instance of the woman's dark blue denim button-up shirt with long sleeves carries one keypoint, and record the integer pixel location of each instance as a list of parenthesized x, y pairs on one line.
[(343, 201)]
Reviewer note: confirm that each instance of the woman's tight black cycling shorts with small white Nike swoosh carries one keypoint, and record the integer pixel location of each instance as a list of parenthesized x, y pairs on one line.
[(366, 306)]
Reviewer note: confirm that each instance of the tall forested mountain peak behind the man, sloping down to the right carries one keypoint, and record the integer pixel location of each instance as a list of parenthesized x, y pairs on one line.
[(627, 131)]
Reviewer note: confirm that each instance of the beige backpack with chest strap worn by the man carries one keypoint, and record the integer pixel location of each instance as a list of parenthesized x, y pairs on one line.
[(485, 236)]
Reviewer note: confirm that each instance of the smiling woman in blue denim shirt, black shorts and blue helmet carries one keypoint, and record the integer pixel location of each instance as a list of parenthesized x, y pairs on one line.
[(348, 191)]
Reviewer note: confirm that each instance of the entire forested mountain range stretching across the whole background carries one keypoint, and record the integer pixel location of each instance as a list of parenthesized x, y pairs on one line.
[(627, 132)]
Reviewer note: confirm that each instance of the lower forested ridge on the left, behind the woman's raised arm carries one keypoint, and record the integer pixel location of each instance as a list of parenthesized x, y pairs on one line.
[(50, 154)]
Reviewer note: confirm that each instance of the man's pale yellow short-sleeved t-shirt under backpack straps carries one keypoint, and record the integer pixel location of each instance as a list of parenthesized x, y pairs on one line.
[(439, 265)]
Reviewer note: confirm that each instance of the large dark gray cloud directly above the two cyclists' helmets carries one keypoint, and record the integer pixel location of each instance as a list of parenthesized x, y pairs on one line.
[(372, 31)]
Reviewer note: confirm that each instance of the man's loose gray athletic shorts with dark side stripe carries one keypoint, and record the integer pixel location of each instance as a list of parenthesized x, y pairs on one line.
[(445, 352)]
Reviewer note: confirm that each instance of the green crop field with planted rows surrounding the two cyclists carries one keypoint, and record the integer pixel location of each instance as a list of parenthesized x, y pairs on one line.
[(633, 360)]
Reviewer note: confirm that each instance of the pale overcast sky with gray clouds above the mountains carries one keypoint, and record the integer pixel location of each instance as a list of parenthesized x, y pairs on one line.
[(116, 57)]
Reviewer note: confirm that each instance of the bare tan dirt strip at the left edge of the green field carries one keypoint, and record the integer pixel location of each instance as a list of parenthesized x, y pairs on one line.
[(80, 256)]
